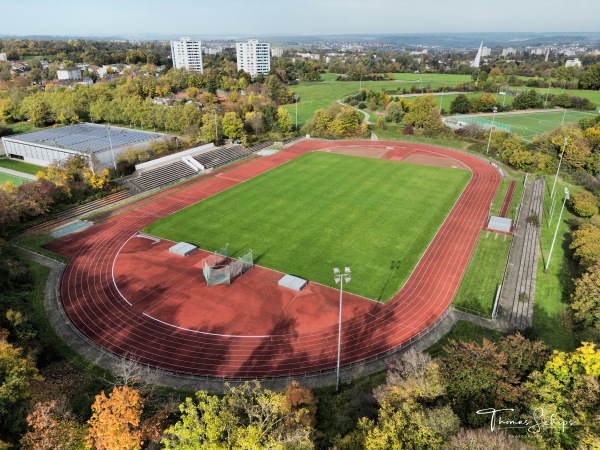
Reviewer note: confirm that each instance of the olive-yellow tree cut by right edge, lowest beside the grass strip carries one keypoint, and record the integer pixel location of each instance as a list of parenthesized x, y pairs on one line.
[(585, 300)]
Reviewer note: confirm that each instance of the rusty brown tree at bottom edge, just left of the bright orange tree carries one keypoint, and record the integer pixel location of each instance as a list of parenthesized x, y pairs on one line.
[(50, 426)]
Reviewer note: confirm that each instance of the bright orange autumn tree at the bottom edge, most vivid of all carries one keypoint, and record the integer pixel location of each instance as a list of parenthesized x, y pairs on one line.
[(115, 421)]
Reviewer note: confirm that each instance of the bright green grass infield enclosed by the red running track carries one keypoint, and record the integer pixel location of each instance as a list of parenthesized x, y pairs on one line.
[(326, 210)]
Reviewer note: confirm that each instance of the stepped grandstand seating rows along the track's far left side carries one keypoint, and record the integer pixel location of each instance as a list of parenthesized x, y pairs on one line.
[(179, 170)]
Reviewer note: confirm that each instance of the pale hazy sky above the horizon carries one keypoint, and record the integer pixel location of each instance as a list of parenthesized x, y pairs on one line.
[(305, 17)]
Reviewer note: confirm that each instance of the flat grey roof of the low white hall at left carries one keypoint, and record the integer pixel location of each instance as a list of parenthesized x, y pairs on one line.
[(86, 137)]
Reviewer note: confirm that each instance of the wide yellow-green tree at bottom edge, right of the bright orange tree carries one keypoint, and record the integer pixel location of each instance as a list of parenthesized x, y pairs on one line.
[(246, 417)]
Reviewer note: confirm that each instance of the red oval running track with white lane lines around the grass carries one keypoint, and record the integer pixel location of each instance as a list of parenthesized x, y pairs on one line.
[(96, 306)]
